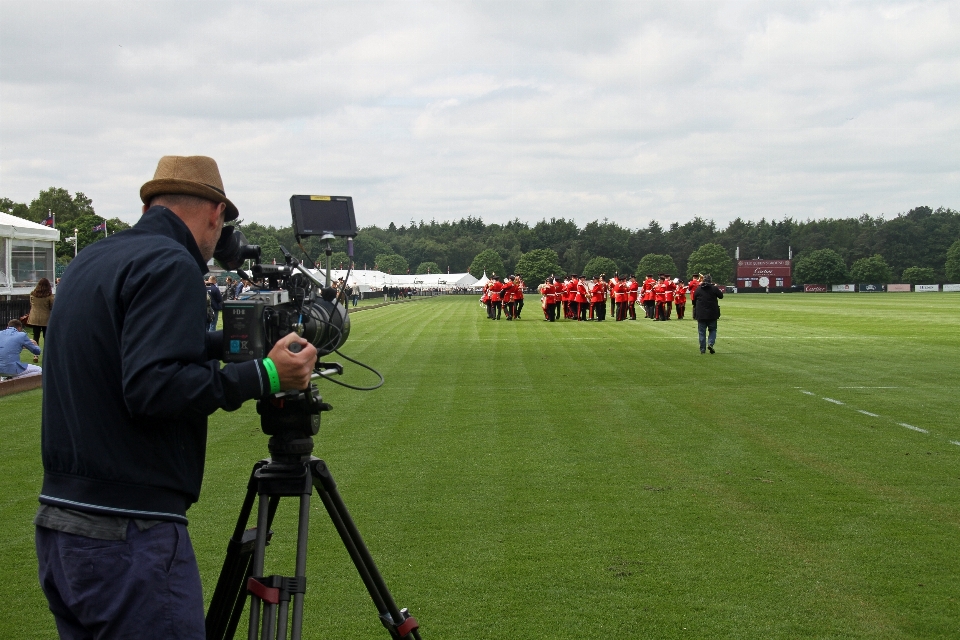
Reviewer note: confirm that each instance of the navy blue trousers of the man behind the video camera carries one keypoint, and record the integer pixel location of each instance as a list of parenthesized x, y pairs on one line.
[(145, 587)]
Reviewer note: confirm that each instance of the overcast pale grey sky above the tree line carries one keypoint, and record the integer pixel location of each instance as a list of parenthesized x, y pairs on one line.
[(631, 111)]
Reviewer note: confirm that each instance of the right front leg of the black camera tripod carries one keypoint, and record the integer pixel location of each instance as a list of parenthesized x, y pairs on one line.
[(398, 622)]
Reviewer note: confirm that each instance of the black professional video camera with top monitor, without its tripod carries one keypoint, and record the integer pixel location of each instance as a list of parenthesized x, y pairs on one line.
[(290, 298)]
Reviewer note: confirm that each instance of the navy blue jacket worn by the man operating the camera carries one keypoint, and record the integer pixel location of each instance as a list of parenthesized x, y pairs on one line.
[(128, 382)]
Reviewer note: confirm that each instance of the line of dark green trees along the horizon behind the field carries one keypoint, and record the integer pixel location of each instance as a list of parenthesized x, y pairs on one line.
[(919, 239)]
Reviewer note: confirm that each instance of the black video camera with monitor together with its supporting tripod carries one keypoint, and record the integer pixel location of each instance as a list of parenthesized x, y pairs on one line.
[(290, 298)]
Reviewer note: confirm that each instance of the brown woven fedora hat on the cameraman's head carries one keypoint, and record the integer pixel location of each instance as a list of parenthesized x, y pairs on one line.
[(191, 176)]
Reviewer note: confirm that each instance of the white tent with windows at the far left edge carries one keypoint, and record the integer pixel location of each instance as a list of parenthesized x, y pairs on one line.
[(26, 254)]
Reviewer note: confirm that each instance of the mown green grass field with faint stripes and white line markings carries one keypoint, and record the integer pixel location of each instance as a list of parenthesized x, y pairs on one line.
[(532, 480)]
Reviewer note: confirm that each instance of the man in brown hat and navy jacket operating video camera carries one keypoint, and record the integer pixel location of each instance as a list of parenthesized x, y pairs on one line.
[(130, 376)]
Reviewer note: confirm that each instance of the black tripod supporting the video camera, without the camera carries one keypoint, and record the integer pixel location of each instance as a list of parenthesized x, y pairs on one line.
[(290, 419)]
